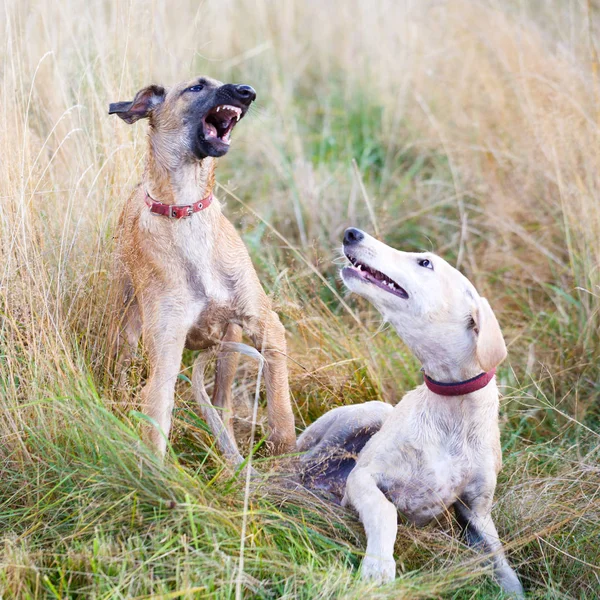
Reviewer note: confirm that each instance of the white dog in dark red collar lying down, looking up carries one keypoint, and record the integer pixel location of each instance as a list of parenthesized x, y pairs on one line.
[(440, 446)]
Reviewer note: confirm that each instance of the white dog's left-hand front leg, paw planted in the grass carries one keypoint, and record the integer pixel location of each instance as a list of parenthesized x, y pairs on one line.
[(380, 520)]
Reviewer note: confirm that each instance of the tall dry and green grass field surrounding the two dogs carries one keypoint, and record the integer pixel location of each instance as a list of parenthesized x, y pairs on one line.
[(466, 128)]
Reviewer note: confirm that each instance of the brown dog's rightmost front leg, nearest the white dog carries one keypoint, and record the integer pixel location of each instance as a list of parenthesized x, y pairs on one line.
[(282, 435)]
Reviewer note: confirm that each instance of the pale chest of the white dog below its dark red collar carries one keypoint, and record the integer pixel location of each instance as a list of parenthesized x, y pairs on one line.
[(426, 454)]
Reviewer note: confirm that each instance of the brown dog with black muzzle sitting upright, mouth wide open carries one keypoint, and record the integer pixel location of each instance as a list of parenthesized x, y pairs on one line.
[(184, 277)]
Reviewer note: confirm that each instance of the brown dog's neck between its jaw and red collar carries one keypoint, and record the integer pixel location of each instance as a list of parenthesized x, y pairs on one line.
[(183, 183)]
